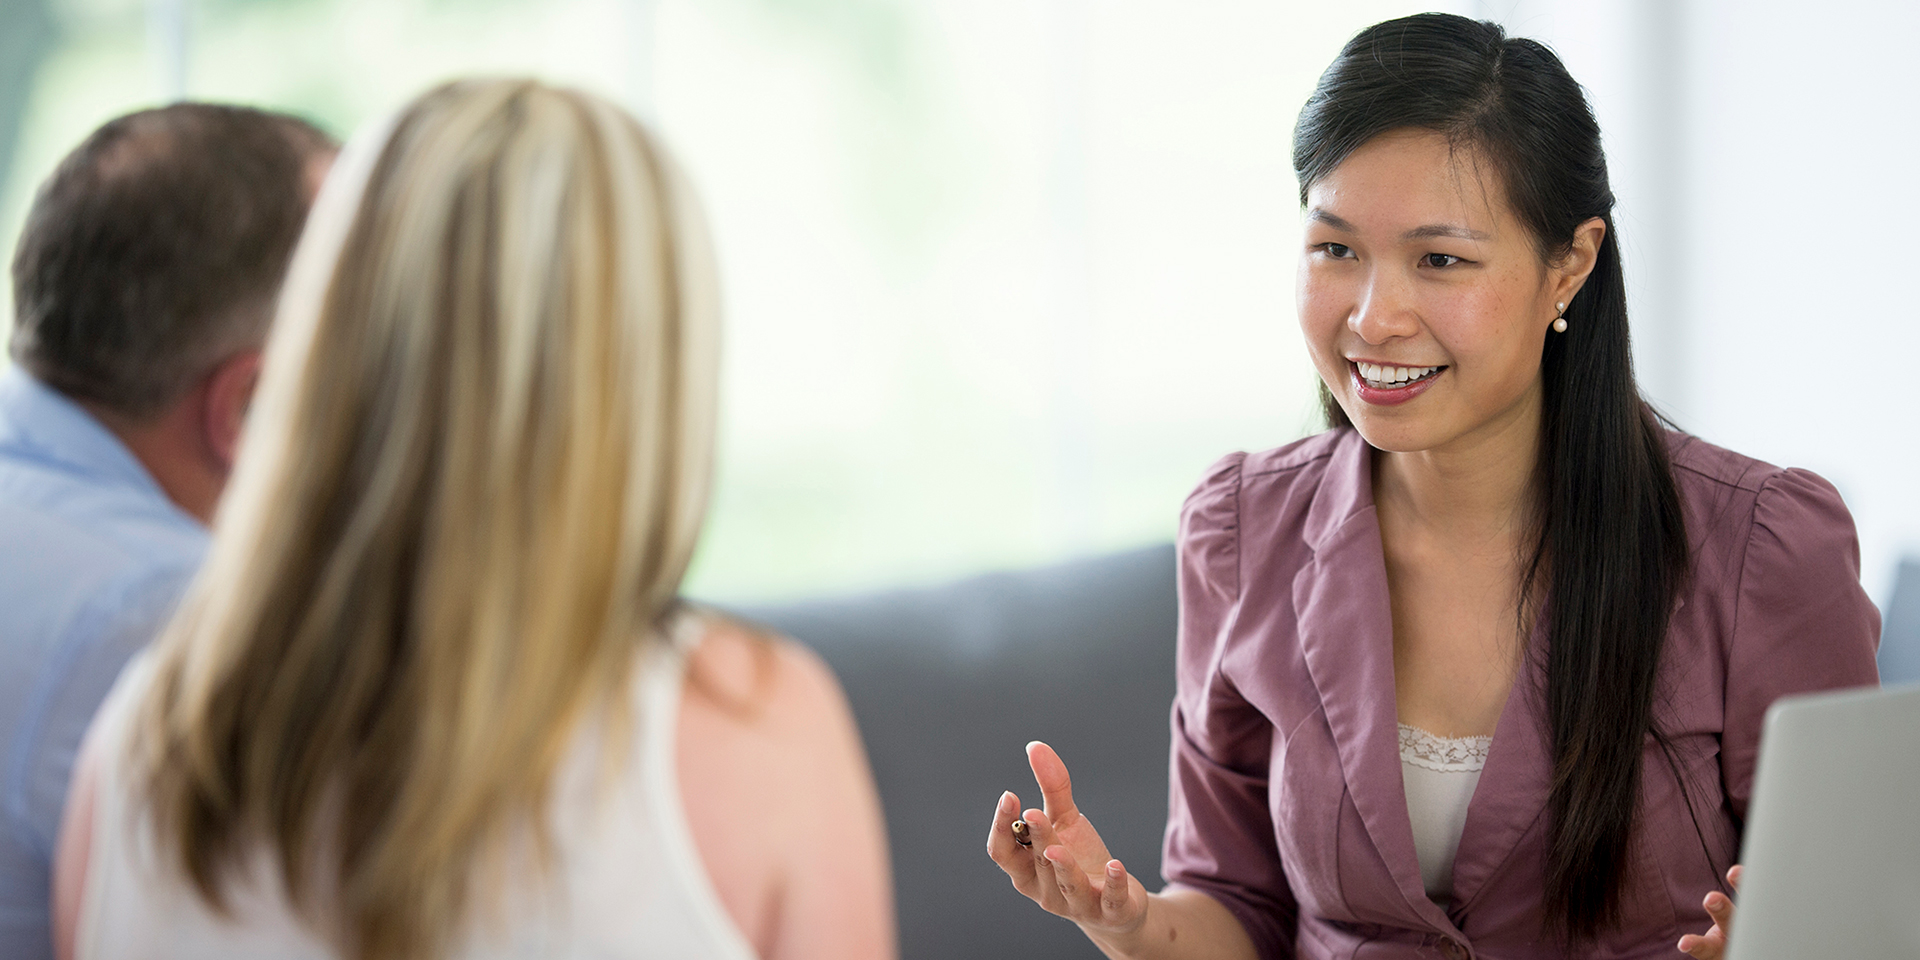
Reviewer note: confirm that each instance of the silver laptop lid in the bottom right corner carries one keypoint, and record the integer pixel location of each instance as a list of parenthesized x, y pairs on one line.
[(1833, 850)]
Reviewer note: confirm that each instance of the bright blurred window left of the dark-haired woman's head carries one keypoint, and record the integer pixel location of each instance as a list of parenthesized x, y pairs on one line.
[(1003, 277)]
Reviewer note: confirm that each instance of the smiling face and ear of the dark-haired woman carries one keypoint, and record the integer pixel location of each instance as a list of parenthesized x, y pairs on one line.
[(1424, 299)]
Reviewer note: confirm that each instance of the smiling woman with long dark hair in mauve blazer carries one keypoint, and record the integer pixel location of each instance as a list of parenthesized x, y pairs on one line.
[(1483, 667)]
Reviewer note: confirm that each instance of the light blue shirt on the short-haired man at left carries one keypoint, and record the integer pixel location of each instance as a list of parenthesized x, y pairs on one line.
[(93, 560)]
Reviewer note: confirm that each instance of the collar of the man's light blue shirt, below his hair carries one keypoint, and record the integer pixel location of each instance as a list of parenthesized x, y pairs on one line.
[(43, 425)]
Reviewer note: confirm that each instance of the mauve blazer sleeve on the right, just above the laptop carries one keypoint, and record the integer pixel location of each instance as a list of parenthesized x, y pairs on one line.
[(1802, 619)]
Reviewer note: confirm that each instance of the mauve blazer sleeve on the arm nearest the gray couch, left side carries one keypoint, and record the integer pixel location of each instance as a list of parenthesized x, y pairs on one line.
[(1220, 832)]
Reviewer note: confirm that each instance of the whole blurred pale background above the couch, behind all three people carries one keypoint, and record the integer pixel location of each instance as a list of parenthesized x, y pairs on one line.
[(1003, 277)]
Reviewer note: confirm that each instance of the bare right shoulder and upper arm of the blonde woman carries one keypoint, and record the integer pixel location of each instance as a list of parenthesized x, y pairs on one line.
[(780, 798)]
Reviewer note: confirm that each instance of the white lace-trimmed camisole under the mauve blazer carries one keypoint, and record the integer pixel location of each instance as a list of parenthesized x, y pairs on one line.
[(1441, 775)]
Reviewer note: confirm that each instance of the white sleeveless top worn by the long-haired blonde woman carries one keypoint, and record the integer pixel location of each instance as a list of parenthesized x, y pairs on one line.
[(627, 880)]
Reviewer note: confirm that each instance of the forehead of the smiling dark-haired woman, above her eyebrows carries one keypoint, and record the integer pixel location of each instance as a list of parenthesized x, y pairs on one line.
[(1414, 183)]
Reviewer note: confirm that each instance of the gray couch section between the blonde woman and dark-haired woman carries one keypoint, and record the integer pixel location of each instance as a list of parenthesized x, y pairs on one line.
[(951, 683)]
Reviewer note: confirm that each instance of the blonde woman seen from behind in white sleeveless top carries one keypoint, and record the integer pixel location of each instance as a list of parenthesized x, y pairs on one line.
[(425, 702)]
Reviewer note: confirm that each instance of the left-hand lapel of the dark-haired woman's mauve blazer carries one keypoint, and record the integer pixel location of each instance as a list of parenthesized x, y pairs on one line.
[(1347, 636)]
